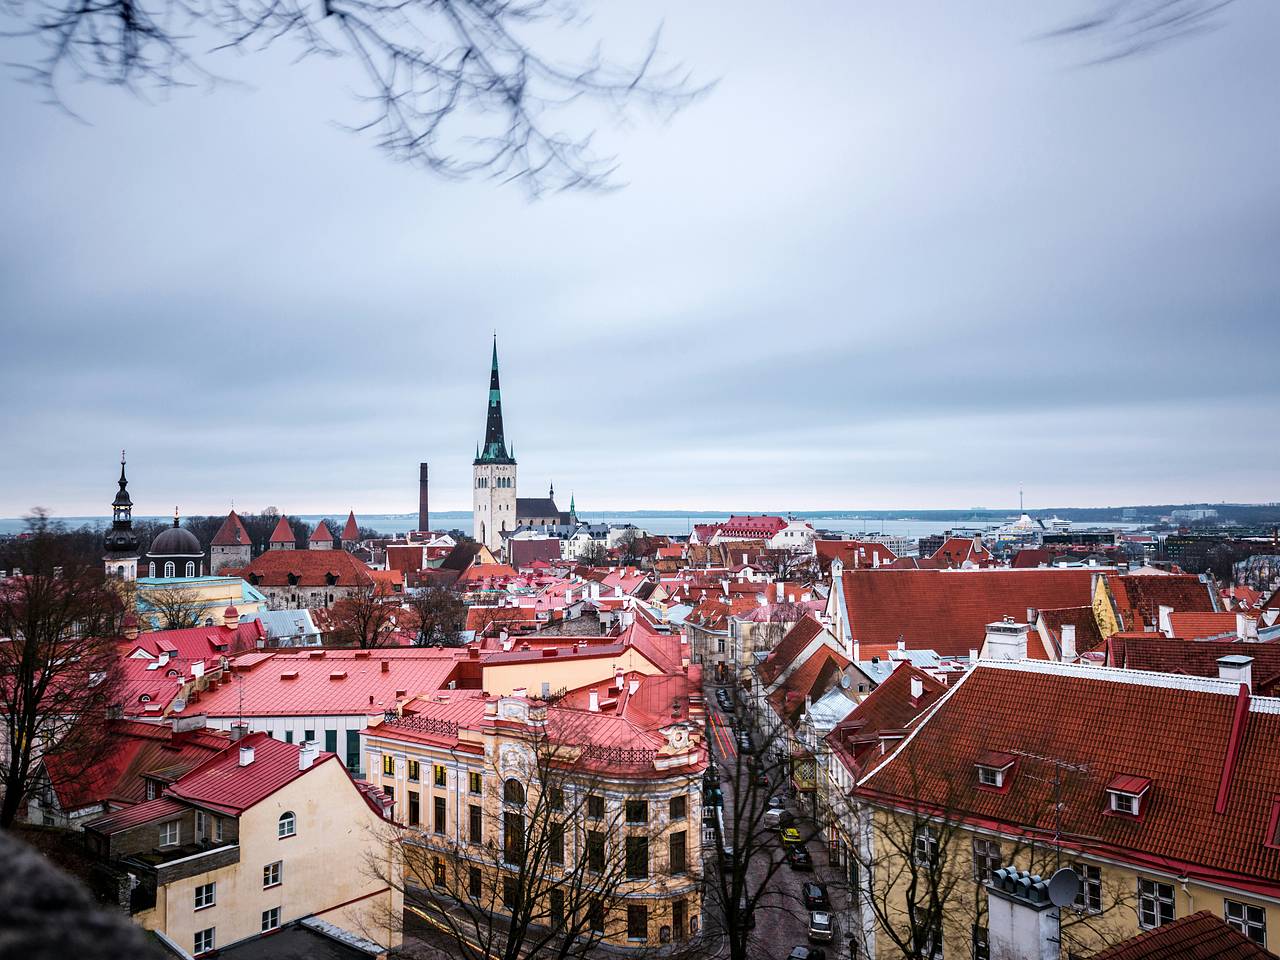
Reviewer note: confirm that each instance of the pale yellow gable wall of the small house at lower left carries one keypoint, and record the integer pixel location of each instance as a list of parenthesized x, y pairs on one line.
[(324, 866)]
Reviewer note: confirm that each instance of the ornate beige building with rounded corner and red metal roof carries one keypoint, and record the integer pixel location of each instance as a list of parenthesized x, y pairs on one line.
[(597, 797)]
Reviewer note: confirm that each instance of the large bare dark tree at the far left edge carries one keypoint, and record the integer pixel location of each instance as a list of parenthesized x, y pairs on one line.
[(60, 666)]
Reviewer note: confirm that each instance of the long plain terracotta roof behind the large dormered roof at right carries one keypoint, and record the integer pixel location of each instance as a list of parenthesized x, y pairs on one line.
[(949, 611)]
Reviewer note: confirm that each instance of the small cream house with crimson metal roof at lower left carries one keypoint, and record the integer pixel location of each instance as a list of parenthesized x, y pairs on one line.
[(248, 843)]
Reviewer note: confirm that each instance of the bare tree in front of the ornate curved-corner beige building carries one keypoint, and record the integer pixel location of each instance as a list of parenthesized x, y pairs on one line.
[(542, 866)]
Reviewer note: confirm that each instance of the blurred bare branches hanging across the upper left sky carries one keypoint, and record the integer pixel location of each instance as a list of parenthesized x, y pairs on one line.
[(460, 88)]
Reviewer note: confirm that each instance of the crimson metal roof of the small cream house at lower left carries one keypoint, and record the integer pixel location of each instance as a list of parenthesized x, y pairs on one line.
[(221, 783)]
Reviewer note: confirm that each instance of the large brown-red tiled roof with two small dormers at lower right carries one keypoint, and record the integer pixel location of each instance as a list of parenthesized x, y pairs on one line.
[(1206, 747)]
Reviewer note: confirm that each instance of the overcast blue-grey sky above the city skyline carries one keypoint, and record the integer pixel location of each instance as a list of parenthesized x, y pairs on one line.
[(903, 257)]
